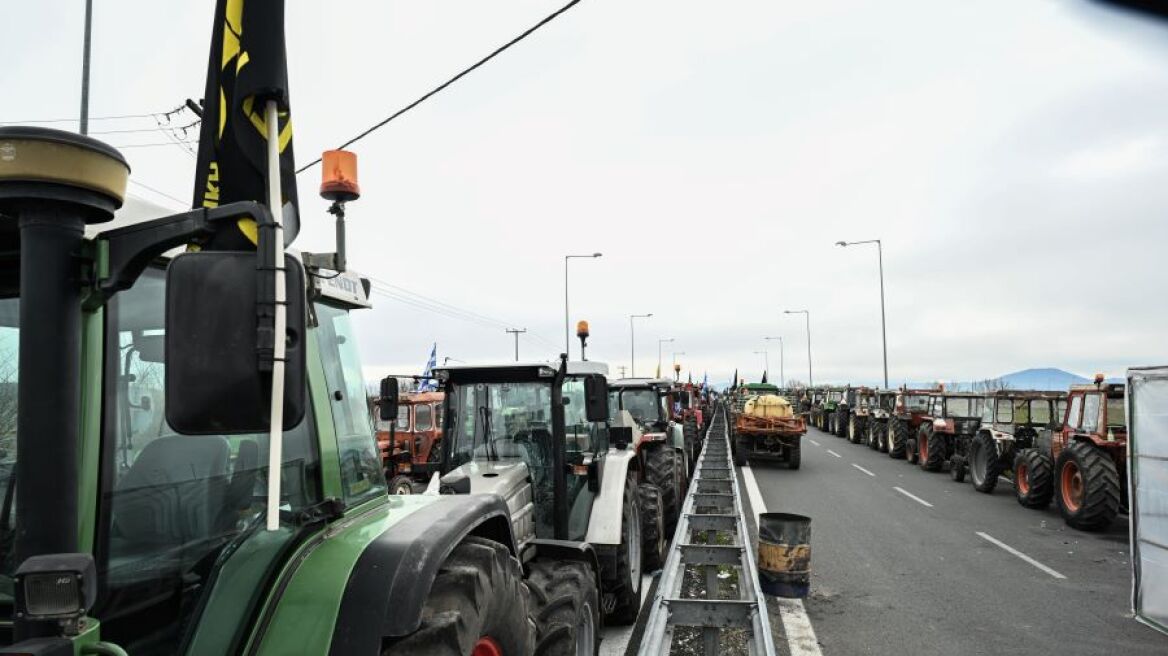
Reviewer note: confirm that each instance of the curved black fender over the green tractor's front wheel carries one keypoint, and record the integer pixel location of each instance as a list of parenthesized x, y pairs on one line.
[(391, 582)]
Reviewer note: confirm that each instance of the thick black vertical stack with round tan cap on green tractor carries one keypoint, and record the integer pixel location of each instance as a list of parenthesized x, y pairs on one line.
[(53, 184)]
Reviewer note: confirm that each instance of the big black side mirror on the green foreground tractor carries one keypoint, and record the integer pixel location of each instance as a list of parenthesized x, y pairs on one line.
[(214, 383)]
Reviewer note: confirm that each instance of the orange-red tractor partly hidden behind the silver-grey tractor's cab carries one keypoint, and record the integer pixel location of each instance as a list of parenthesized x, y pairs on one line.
[(411, 446)]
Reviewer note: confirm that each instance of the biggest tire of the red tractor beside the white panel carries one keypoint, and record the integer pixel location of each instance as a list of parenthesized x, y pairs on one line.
[(1088, 487)]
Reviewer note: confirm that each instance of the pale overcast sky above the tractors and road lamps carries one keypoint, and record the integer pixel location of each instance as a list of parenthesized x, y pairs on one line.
[(1011, 155)]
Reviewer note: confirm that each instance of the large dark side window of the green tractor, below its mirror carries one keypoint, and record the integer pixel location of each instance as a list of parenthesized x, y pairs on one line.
[(172, 505)]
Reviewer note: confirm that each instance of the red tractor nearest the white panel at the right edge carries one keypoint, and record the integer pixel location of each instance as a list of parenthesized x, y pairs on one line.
[(1084, 466)]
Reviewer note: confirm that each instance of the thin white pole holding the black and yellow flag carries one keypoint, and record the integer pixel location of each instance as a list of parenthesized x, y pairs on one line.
[(276, 420)]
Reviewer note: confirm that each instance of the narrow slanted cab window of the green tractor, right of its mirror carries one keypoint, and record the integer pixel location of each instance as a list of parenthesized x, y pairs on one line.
[(361, 476)]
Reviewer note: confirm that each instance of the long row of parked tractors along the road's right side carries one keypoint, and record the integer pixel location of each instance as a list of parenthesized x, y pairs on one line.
[(1068, 448)]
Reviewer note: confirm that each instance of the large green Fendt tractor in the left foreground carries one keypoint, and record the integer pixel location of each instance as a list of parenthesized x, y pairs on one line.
[(149, 519)]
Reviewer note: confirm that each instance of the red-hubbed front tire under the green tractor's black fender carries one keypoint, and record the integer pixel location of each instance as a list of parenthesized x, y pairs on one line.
[(478, 604)]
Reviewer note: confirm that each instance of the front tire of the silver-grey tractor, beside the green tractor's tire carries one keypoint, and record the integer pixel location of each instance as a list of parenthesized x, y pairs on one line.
[(567, 608)]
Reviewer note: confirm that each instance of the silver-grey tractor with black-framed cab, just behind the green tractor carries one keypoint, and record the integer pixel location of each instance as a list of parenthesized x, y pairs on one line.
[(540, 437)]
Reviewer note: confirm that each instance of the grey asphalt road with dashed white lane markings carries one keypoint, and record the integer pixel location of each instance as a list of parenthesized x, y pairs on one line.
[(895, 576)]
